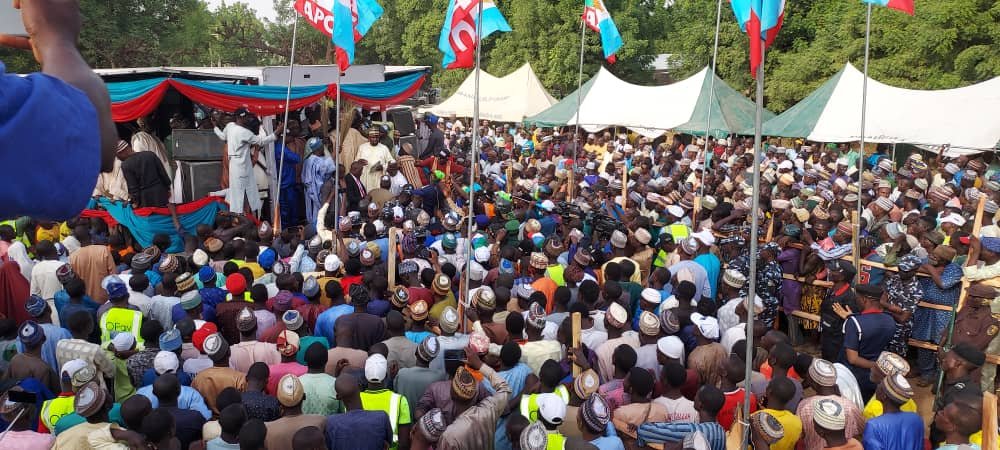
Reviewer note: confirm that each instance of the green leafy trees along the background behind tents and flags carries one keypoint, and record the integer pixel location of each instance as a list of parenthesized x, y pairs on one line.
[(949, 43)]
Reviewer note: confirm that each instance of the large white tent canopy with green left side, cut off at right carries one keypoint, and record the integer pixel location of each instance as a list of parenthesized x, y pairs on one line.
[(964, 117)]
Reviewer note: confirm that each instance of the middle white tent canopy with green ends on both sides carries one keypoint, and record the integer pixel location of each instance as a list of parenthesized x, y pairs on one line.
[(652, 110)]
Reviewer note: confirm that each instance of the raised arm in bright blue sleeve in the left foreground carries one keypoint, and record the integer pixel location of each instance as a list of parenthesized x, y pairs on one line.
[(63, 115)]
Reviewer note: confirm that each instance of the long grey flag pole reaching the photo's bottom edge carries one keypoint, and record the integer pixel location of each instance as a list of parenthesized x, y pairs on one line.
[(754, 211)]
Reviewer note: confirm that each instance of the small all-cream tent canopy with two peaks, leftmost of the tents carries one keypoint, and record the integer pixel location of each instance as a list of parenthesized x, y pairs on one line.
[(505, 99)]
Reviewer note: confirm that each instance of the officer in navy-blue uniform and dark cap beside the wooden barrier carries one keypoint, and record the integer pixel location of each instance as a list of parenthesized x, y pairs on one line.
[(866, 335)]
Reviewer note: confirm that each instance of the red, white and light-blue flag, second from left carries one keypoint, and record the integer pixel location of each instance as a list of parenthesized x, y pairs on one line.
[(458, 34)]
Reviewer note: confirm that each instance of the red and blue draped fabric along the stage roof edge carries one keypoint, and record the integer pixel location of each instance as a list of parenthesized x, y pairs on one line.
[(133, 99)]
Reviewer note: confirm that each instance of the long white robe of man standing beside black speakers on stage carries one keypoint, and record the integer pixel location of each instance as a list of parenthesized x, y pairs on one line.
[(242, 183)]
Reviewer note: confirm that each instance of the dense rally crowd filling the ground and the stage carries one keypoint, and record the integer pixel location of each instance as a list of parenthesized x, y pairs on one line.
[(295, 338)]
